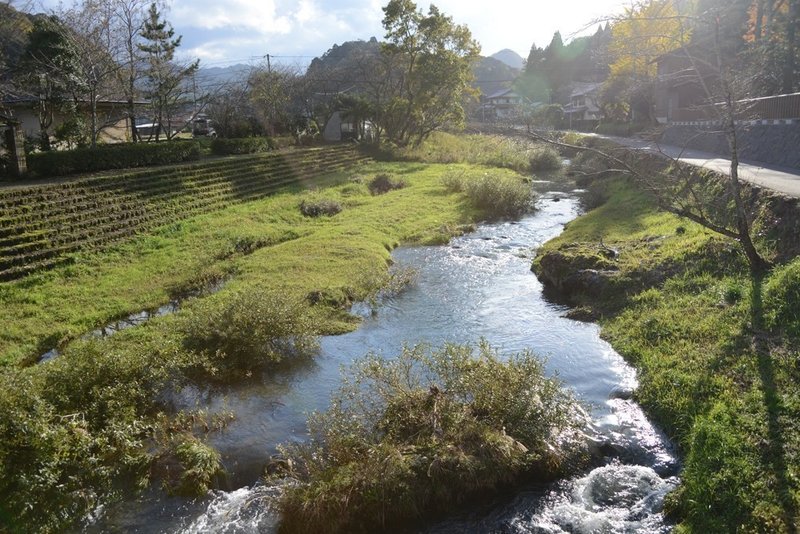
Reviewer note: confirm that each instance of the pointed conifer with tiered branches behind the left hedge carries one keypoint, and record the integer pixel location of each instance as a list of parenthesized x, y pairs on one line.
[(165, 77)]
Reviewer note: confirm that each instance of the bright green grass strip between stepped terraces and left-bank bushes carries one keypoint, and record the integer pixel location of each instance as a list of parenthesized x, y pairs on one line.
[(341, 257)]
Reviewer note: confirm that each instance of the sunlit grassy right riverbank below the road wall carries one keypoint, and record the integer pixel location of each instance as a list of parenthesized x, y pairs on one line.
[(716, 351)]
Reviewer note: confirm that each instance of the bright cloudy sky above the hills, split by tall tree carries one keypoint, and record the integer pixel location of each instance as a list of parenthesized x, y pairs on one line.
[(226, 32)]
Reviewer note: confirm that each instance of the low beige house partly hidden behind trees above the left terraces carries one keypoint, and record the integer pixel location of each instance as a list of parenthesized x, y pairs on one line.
[(112, 117)]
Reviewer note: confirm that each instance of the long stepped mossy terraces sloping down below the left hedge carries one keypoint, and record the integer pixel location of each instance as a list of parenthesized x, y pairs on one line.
[(41, 225)]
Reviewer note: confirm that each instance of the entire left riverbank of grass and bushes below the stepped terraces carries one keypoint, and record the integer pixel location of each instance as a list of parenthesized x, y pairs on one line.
[(93, 423)]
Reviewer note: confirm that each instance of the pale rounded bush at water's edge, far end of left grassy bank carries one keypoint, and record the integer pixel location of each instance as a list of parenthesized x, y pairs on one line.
[(497, 195)]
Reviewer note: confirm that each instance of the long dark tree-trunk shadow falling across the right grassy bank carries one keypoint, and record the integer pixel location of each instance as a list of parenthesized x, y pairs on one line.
[(775, 452)]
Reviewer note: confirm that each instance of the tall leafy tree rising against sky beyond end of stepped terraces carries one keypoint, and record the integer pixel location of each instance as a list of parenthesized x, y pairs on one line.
[(428, 60)]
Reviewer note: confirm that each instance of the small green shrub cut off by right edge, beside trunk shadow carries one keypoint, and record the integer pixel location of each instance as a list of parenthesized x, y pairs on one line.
[(782, 299)]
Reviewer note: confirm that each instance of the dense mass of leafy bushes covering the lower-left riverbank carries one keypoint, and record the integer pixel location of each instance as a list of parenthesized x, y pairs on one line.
[(80, 430)]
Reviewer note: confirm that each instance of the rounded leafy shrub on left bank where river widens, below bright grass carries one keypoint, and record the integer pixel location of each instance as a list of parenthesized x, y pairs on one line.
[(248, 331)]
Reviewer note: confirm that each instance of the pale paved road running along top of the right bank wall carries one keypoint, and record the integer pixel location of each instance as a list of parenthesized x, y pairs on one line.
[(782, 180)]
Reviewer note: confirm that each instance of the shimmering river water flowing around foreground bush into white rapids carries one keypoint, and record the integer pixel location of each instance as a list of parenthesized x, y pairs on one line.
[(480, 285)]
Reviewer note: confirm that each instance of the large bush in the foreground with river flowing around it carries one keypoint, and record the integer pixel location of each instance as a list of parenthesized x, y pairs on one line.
[(422, 433)]
